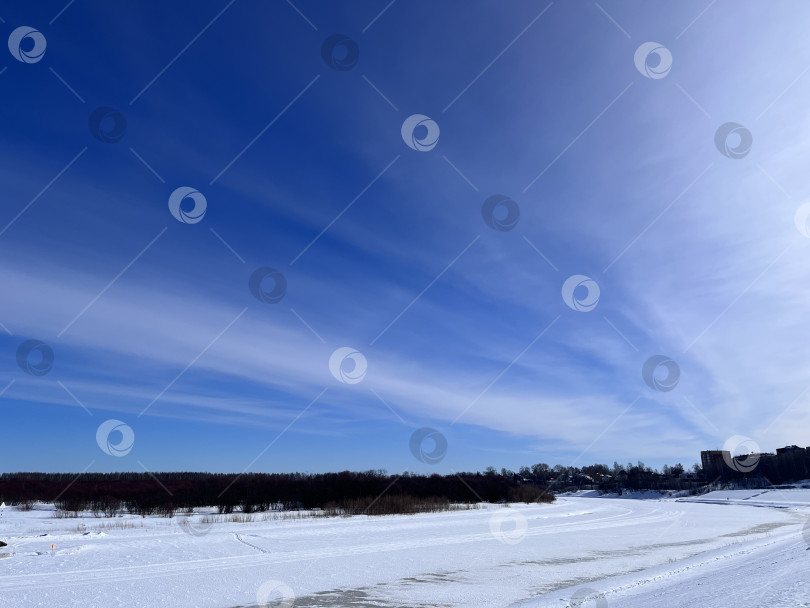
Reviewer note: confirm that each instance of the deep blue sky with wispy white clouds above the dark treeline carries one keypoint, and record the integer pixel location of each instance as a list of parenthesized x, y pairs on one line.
[(464, 328)]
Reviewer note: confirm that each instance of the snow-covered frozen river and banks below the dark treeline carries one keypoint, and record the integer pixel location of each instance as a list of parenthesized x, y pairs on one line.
[(579, 551)]
